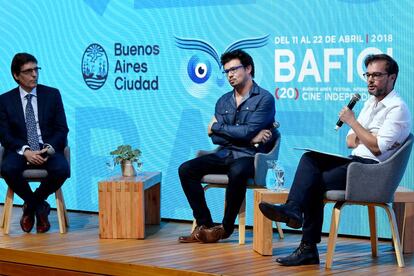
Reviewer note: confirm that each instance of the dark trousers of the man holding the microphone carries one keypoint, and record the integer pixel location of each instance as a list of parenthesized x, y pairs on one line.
[(316, 174)]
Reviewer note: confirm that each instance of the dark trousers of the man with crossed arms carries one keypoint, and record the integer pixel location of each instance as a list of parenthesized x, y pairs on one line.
[(238, 170)]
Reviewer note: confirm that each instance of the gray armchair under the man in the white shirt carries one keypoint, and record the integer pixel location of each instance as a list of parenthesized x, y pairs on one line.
[(372, 185)]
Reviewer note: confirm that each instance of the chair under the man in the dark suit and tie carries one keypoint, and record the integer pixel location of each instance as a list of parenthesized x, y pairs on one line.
[(34, 175)]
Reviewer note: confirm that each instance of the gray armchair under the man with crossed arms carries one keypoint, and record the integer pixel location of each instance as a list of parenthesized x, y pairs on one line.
[(259, 181)]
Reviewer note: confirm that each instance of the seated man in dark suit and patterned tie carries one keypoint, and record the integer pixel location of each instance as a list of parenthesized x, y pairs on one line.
[(33, 124)]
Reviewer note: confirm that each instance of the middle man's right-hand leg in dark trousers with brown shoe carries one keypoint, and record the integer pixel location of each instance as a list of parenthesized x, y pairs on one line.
[(240, 170)]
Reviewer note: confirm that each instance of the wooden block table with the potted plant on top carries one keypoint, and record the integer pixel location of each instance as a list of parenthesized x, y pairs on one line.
[(126, 204)]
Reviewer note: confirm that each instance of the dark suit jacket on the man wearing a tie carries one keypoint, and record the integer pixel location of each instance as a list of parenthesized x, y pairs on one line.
[(52, 119)]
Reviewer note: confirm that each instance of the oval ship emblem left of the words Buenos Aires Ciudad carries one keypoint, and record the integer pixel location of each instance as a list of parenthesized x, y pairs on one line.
[(95, 66)]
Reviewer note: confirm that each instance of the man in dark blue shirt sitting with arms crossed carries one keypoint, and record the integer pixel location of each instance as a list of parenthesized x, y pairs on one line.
[(241, 126)]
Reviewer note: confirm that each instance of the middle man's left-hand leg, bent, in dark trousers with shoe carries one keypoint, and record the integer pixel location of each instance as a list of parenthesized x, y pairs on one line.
[(190, 173)]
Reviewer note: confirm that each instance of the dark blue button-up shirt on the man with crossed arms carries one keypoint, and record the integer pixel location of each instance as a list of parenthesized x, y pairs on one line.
[(237, 126)]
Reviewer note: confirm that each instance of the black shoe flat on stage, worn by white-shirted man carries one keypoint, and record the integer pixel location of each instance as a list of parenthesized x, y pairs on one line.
[(305, 254)]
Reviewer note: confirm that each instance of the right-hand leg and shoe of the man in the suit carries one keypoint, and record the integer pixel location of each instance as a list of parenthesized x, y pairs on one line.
[(58, 171)]
